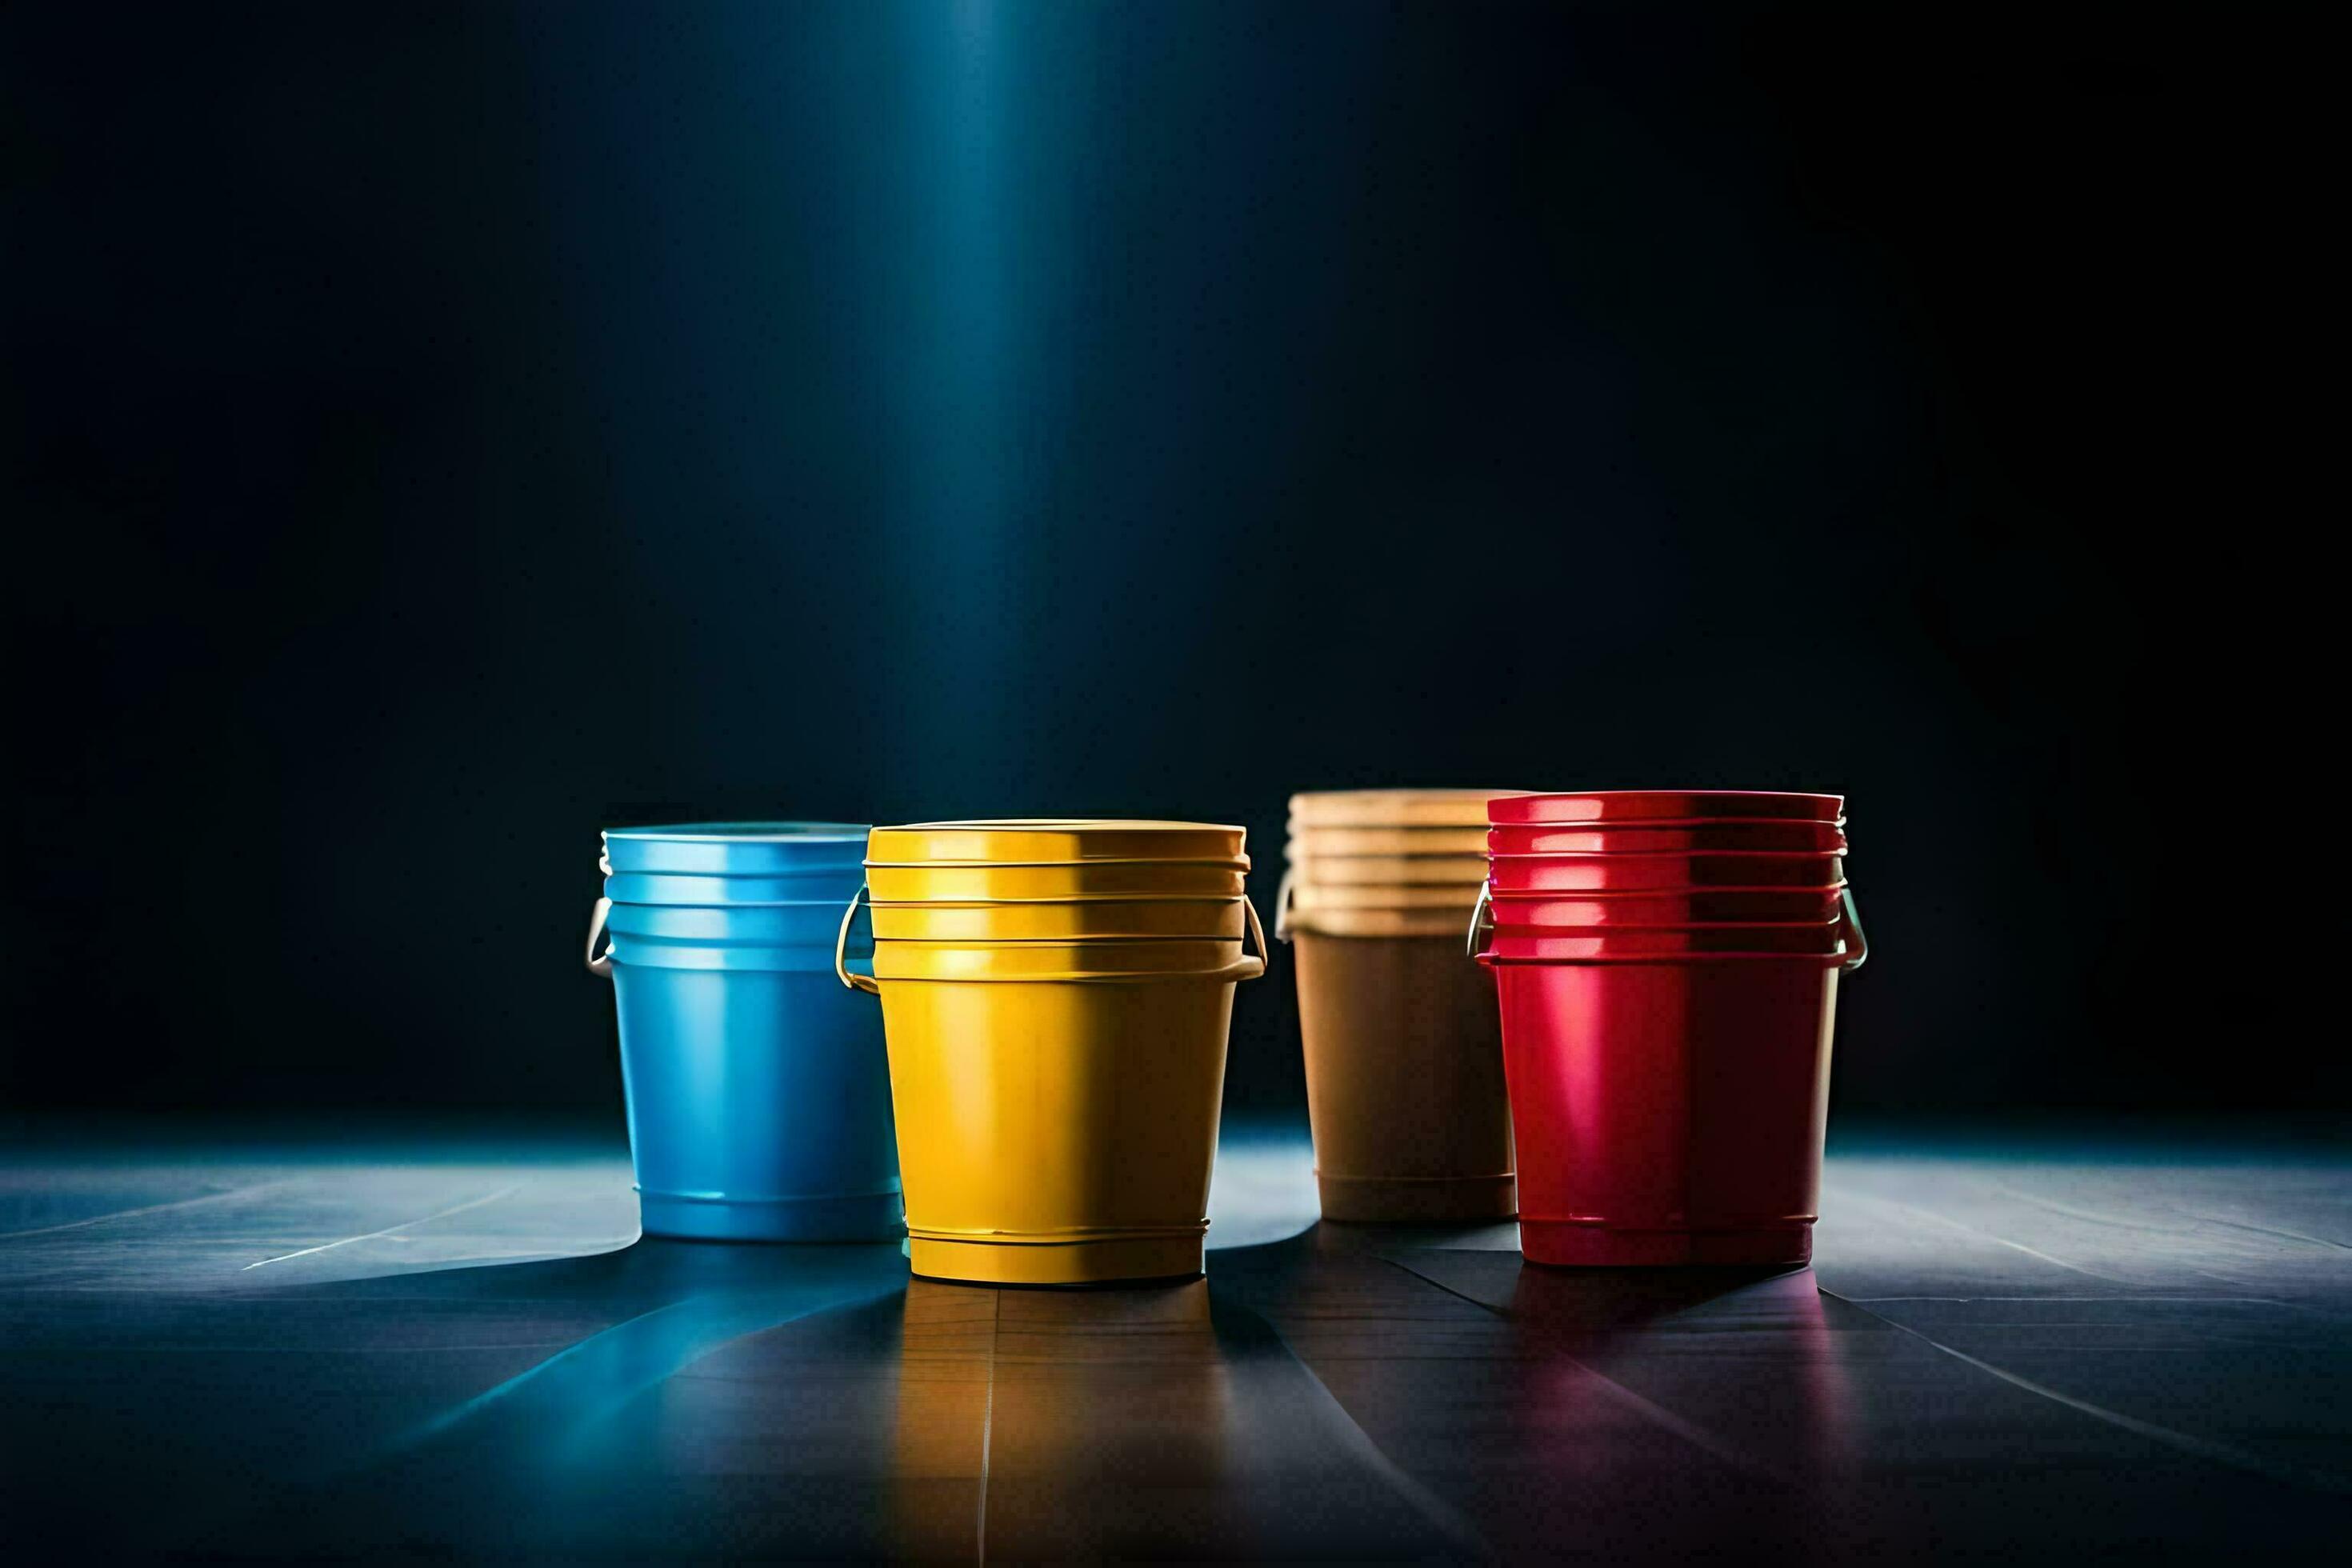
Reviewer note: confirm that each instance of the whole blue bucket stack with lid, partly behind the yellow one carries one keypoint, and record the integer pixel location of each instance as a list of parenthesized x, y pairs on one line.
[(759, 1090)]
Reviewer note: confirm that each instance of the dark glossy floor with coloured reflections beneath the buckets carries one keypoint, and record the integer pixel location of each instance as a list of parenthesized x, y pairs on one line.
[(2024, 1351)]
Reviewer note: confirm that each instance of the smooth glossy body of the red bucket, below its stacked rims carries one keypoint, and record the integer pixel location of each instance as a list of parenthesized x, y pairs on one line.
[(1669, 1113)]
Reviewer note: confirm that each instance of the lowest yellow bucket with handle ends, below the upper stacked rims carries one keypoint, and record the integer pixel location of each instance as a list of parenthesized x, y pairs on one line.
[(1057, 1101)]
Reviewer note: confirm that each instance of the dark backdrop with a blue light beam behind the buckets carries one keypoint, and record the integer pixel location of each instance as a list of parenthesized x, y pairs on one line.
[(443, 431)]
